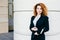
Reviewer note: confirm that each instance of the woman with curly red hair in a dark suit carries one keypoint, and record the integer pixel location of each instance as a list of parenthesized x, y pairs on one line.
[(39, 22)]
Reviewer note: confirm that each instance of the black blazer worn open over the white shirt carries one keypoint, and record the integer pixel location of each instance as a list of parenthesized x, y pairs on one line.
[(42, 23)]
